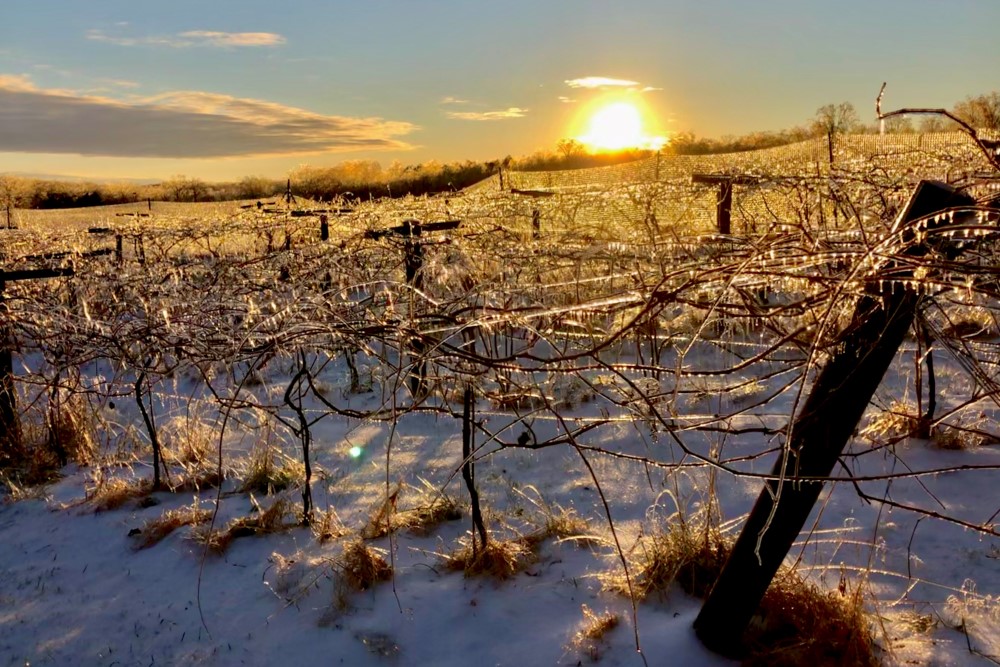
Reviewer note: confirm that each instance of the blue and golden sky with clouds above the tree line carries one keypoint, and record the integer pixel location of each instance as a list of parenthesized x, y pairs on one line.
[(221, 89)]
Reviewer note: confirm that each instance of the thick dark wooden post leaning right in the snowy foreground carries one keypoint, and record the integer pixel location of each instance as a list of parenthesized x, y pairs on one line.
[(817, 437)]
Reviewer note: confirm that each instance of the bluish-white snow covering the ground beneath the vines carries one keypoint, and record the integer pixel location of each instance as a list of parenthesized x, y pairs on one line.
[(76, 591)]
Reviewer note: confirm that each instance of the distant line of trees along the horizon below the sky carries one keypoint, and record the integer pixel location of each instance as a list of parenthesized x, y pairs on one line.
[(367, 179)]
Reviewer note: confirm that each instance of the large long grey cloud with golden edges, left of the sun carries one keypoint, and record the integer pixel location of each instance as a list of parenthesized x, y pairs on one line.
[(183, 124)]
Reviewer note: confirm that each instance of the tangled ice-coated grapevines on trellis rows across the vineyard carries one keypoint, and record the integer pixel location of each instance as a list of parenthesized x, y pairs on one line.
[(614, 290)]
